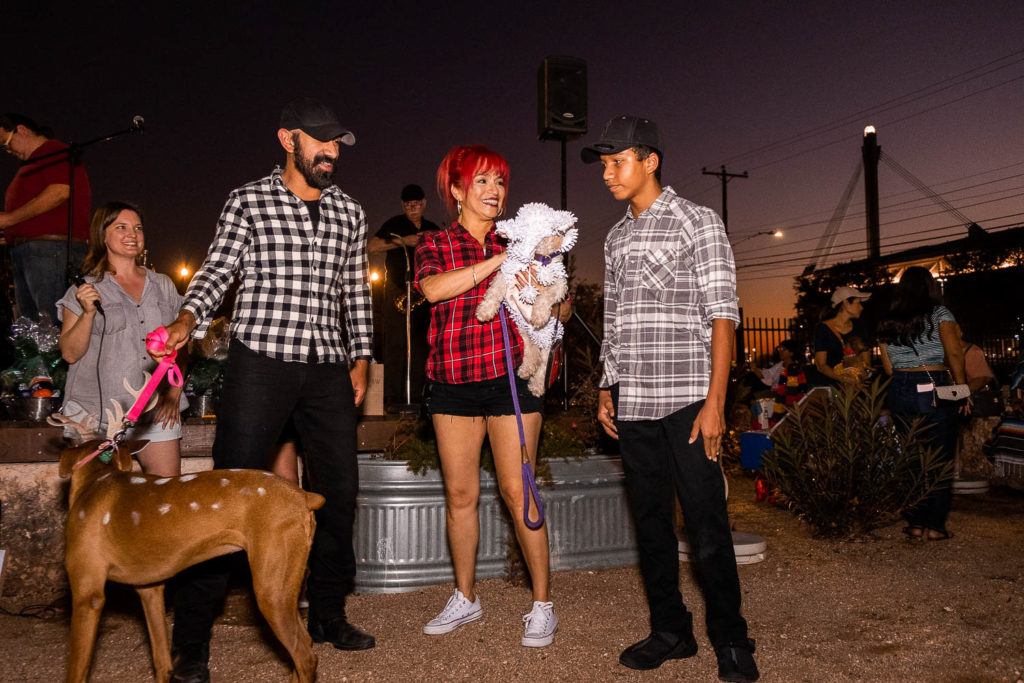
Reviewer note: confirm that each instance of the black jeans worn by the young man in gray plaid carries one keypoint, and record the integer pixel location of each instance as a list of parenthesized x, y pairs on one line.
[(659, 465)]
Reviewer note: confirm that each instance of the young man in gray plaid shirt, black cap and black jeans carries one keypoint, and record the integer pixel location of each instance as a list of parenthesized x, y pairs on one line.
[(670, 316)]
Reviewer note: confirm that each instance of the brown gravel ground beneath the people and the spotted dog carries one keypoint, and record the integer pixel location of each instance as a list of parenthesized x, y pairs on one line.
[(883, 609)]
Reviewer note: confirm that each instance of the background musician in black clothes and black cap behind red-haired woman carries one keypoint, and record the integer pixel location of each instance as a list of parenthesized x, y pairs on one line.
[(398, 239)]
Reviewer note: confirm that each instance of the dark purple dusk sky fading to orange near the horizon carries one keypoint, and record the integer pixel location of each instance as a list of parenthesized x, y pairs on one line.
[(781, 90)]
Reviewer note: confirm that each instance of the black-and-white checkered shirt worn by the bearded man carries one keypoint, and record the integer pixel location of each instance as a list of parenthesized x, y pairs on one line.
[(297, 283)]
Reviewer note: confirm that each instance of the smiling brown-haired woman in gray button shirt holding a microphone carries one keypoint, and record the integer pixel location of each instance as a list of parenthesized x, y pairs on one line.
[(105, 322)]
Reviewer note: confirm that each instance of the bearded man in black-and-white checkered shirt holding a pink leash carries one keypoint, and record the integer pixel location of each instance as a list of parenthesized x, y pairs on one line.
[(297, 245)]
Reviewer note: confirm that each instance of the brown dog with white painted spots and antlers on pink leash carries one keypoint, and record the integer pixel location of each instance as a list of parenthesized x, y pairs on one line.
[(142, 530)]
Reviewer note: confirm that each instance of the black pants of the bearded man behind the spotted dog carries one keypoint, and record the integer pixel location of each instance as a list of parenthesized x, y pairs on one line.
[(260, 396)]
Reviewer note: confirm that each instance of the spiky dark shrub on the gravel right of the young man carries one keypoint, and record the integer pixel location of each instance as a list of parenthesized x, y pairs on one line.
[(845, 471)]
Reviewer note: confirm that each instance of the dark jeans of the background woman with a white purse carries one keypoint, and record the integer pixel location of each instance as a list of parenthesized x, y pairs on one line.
[(907, 403)]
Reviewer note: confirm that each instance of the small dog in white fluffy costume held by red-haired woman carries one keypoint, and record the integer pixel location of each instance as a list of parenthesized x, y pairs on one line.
[(538, 237)]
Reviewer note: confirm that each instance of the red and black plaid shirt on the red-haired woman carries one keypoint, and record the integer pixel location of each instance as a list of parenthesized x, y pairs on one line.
[(462, 349)]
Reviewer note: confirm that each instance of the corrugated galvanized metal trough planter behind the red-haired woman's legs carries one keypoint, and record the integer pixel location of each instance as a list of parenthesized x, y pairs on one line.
[(400, 536)]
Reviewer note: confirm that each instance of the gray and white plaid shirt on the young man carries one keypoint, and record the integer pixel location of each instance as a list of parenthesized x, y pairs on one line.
[(668, 274)]
